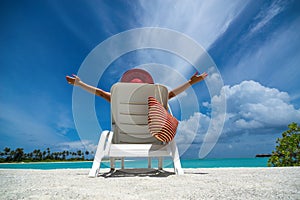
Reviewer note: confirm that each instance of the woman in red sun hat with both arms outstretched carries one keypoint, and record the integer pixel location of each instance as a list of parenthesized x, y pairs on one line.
[(134, 76)]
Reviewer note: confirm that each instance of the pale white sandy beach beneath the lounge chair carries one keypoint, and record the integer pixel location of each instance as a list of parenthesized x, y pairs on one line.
[(213, 183)]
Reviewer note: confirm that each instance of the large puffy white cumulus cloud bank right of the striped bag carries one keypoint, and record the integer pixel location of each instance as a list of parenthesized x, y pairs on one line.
[(251, 109)]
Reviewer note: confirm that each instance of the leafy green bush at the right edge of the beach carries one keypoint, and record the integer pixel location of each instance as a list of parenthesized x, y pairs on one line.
[(287, 152)]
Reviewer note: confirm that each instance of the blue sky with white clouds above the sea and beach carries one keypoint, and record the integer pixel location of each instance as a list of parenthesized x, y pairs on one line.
[(255, 46)]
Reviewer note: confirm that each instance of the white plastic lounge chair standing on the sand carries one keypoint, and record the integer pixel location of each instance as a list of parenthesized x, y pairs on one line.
[(130, 136)]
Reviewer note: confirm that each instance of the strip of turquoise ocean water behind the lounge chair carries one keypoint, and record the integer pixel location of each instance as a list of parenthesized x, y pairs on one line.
[(143, 163)]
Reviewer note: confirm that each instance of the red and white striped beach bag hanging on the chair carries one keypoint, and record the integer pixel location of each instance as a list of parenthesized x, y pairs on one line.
[(162, 125)]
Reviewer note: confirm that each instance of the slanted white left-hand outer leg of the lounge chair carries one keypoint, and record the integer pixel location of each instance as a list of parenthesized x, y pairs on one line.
[(99, 155)]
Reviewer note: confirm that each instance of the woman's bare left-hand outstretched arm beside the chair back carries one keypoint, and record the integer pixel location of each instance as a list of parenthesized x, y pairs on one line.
[(75, 80)]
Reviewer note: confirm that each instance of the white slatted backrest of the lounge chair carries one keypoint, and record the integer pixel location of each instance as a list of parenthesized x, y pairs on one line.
[(129, 111)]
